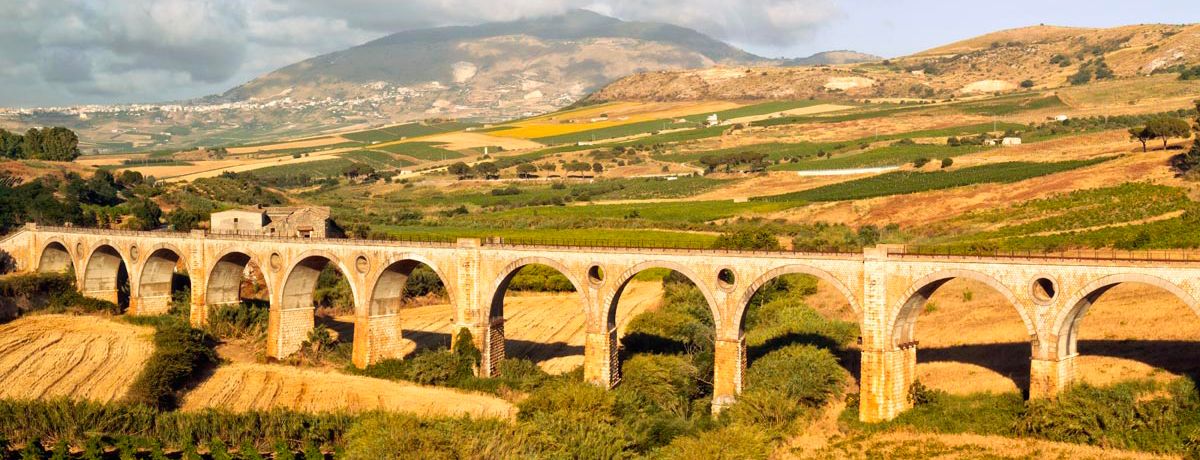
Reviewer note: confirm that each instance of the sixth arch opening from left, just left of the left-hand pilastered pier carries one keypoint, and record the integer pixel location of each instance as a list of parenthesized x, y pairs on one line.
[(417, 294)]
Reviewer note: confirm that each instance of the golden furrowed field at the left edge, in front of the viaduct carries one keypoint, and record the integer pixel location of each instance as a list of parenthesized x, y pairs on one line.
[(87, 359)]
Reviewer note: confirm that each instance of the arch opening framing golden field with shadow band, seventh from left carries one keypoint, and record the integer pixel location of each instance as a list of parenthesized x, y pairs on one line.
[(538, 313)]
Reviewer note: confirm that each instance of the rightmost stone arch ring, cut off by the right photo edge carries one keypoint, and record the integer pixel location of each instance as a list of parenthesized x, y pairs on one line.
[(1066, 324)]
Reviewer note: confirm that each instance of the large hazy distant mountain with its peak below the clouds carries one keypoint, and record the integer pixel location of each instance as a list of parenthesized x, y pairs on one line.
[(493, 70)]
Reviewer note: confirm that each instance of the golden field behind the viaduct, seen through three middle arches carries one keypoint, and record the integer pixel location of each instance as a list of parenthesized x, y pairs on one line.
[(545, 328)]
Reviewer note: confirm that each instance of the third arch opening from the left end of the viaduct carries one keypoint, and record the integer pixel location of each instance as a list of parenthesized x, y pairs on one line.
[(165, 284)]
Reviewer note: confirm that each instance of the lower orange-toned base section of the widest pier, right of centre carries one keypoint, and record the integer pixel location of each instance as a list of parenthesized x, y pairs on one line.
[(885, 383)]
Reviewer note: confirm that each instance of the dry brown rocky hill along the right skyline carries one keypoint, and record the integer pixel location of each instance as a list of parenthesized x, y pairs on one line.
[(1042, 57)]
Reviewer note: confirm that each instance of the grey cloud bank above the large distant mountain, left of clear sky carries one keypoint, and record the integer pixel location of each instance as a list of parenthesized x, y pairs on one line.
[(103, 51)]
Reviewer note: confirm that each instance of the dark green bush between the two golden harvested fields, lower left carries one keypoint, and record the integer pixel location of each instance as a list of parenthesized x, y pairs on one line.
[(181, 354)]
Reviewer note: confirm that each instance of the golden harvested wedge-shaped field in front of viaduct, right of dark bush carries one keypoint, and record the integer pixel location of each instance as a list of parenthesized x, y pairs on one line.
[(249, 386)]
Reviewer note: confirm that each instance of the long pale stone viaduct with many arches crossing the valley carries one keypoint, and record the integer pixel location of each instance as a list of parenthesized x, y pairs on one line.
[(886, 285)]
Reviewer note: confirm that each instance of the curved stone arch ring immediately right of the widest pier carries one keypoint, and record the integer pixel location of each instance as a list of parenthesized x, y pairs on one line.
[(903, 324)]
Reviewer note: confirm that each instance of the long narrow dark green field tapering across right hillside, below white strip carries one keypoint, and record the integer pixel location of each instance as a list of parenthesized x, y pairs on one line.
[(907, 182)]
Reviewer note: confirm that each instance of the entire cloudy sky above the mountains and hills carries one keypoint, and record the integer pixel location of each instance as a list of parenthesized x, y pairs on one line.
[(74, 52)]
